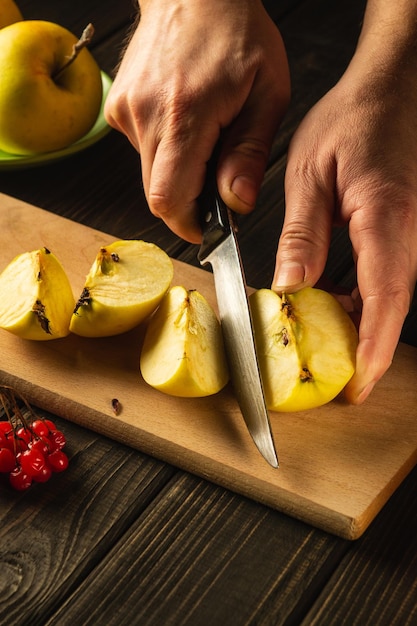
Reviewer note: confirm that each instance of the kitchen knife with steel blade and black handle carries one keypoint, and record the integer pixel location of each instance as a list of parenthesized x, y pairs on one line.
[(220, 249)]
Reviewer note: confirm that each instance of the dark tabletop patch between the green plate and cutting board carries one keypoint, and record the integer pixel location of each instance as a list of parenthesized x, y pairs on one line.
[(99, 187)]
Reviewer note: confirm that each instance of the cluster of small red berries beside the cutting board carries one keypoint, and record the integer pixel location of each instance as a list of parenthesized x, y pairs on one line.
[(31, 448)]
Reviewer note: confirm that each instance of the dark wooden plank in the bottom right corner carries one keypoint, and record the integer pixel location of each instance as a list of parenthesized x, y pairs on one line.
[(376, 582)]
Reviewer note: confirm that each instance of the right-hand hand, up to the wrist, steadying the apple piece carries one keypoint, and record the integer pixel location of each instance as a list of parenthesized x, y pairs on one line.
[(354, 160)]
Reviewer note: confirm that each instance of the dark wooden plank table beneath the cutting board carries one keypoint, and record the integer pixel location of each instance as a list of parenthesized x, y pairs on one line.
[(122, 538)]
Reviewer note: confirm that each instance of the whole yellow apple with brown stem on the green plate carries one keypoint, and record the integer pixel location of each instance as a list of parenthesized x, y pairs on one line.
[(37, 113)]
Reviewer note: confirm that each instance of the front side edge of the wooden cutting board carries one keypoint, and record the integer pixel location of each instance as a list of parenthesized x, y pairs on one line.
[(306, 511)]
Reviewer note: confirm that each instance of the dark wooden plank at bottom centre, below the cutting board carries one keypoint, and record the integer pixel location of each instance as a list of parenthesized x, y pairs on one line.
[(202, 555)]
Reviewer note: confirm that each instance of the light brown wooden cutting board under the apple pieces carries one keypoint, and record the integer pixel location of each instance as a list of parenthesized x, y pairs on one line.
[(338, 464)]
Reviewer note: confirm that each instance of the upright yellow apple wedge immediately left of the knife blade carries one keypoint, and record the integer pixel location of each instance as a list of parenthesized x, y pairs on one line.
[(183, 353)]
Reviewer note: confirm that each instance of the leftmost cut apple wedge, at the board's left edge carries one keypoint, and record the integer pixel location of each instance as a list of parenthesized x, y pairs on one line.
[(36, 299)]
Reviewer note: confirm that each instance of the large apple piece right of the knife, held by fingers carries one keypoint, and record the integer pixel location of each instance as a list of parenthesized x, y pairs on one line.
[(306, 346)]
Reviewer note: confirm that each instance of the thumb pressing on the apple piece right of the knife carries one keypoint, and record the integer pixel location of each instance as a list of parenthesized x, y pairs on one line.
[(305, 239)]
